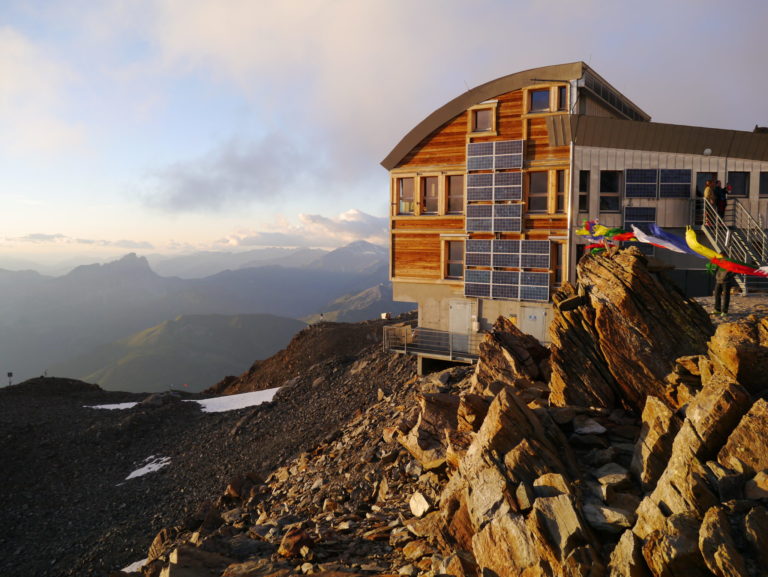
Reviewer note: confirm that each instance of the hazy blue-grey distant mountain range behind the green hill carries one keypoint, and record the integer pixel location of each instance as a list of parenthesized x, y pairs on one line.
[(46, 321)]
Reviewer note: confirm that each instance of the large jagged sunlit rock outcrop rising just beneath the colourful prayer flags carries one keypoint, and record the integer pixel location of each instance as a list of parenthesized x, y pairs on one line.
[(620, 344)]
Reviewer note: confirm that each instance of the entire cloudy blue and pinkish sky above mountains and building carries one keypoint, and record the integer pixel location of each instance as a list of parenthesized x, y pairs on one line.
[(175, 126)]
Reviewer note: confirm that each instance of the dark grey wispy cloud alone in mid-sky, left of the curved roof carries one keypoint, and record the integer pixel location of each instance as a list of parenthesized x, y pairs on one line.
[(234, 174)]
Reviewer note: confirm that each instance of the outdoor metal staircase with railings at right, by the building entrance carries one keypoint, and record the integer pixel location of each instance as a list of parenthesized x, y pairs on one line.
[(738, 236)]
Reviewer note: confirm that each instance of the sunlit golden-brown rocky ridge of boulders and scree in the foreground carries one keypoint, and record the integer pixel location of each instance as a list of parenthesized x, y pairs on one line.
[(609, 455)]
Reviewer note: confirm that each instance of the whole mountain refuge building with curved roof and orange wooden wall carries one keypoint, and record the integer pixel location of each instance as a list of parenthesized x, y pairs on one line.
[(486, 194)]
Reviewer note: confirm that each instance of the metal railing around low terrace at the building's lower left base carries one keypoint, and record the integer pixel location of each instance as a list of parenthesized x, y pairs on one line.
[(410, 339)]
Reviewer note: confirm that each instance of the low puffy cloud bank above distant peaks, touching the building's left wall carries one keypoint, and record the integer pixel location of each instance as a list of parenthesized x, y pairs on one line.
[(315, 230)]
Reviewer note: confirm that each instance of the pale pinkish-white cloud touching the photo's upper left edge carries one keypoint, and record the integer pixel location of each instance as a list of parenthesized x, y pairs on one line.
[(32, 88)]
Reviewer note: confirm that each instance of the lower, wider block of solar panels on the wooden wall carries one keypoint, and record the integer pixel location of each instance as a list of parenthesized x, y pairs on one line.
[(507, 284)]
